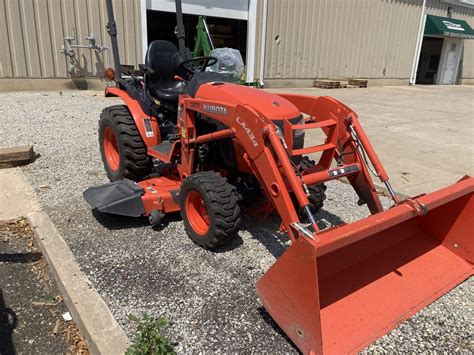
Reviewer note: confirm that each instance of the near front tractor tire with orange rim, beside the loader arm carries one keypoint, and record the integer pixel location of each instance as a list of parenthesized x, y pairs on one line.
[(210, 210)]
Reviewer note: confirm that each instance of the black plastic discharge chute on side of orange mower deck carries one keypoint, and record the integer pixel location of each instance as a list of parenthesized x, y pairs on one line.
[(119, 197)]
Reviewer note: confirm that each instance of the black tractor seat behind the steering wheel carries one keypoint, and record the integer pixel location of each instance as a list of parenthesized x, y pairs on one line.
[(164, 58)]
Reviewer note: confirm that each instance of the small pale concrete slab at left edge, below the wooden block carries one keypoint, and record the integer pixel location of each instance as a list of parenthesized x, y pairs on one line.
[(17, 199)]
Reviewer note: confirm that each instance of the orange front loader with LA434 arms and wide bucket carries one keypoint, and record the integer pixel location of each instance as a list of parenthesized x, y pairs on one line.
[(337, 290)]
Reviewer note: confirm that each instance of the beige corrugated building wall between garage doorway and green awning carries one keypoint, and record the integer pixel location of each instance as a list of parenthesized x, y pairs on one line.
[(372, 39)]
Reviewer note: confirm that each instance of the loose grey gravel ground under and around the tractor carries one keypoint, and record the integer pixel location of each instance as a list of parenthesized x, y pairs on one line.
[(209, 297)]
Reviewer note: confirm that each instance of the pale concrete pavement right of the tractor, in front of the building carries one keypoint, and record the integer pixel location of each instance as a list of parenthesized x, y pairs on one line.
[(424, 135)]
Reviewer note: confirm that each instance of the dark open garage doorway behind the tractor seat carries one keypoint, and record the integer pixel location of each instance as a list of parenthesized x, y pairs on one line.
[(224, 32)]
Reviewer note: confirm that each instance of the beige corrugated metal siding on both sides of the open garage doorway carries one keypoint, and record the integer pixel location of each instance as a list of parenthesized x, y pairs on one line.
[(318, 38)]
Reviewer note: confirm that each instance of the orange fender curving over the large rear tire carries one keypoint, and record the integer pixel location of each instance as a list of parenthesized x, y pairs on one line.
[(150, 138)]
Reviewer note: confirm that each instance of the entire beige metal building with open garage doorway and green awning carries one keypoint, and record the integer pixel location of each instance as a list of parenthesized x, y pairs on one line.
[(284, 42)]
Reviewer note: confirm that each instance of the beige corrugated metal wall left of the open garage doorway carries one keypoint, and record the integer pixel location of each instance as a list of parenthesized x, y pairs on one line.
[(32, 32)]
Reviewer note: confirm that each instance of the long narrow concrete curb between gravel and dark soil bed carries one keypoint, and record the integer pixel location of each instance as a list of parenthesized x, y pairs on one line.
[(102, 332)]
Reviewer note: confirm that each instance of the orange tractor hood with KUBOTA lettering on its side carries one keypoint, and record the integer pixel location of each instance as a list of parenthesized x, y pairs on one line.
[(268, 104)]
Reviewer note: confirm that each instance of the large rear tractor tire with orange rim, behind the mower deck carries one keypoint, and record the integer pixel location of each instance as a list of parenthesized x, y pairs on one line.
[(123, 151)]
